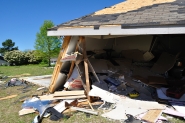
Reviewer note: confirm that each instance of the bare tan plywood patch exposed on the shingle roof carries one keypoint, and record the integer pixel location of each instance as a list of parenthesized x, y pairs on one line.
[(130, 5)]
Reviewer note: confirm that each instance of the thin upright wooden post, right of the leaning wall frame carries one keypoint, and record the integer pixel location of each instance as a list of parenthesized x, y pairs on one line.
[(82, 39)]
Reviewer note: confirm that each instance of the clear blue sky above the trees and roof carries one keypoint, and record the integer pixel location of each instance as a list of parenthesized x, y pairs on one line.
[(20, 20)]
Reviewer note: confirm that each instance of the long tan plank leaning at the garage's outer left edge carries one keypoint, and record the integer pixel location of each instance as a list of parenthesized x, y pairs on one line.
[(58, 64)]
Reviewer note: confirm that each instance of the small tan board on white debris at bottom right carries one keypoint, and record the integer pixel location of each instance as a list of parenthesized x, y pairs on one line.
[(152, 116)]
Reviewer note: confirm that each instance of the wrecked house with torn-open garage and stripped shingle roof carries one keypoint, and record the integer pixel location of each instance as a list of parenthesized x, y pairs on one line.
[(130, 54)]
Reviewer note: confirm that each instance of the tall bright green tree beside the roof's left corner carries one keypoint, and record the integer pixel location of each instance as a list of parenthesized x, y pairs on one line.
[(46, 47)]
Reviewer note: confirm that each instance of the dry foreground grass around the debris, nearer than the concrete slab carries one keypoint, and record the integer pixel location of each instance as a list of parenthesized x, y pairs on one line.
[(9, 109)]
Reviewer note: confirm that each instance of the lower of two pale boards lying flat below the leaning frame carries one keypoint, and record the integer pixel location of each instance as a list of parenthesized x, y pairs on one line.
[(51, 97)]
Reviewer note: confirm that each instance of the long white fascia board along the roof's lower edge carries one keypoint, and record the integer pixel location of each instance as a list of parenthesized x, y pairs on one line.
[(116, 30)]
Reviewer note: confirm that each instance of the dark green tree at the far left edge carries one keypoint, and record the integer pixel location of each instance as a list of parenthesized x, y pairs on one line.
[(8, 45)]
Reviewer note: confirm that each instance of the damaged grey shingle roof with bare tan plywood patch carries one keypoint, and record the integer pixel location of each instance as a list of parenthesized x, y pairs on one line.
[(134, 13)]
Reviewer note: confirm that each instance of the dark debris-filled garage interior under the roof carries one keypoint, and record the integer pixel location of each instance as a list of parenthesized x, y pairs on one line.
[(113, 56)]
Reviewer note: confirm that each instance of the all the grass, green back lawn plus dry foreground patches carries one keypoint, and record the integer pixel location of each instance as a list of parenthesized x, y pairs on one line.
[(9, 108)]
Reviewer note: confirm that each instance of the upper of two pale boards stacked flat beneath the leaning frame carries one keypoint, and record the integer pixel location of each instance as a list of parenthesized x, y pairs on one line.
[(68, 93)]
